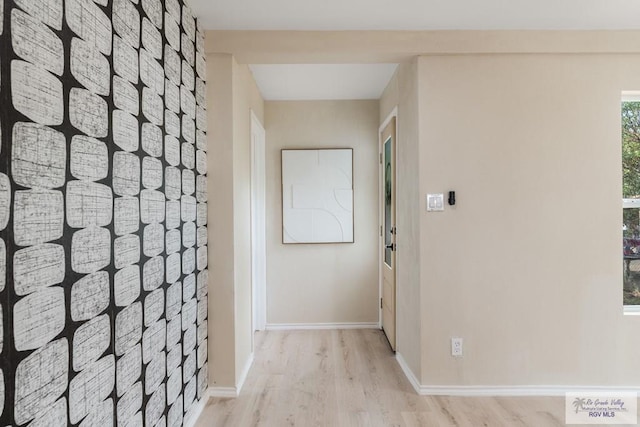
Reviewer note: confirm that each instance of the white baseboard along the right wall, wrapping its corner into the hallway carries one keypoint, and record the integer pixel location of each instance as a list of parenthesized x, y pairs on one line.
[(502, 391)]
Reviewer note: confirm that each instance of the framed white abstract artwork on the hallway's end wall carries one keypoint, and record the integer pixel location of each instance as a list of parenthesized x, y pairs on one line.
[(317, 196)]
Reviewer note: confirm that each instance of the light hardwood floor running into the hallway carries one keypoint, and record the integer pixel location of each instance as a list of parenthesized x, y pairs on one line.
[(350, 378)]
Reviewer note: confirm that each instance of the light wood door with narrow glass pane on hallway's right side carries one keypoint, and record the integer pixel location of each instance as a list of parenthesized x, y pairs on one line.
[(388, 235)]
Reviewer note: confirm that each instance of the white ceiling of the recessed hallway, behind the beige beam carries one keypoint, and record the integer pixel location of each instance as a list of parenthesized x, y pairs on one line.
[(322, 82)]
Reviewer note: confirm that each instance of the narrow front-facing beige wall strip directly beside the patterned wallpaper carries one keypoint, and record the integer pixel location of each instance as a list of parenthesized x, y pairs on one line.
[(220, 218)]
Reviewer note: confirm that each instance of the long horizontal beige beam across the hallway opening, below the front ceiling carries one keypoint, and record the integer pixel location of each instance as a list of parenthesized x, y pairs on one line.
[(349, 47)]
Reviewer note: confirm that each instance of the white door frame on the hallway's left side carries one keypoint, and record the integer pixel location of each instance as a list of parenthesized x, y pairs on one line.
[(258, 220)]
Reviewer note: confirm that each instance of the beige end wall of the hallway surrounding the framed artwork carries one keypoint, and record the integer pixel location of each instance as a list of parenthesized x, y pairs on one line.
[(334, 283)]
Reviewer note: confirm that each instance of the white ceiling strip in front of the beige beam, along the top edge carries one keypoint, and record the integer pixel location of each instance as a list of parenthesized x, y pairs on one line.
[(327, 15)]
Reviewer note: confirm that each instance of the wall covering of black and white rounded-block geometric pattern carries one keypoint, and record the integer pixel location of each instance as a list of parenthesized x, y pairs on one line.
[(103, 213)]
